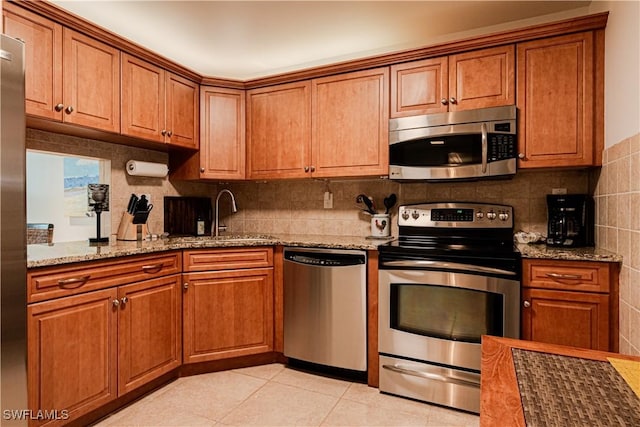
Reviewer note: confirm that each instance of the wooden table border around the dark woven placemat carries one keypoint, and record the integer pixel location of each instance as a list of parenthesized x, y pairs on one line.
[(500, 396)]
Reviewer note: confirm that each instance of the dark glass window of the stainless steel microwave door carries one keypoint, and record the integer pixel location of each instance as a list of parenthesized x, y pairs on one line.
[(451, 150)]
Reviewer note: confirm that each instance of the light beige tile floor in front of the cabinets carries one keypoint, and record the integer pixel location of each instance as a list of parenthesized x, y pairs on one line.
[(275, 395)]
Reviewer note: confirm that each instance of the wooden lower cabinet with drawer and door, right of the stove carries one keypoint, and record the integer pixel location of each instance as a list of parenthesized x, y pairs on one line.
[(573, 303)]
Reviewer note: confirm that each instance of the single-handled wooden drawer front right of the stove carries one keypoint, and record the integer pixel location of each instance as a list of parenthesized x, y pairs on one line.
[(566, 275)]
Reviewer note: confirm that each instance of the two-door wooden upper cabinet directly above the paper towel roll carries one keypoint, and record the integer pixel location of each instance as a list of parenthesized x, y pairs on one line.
[(157, 105)]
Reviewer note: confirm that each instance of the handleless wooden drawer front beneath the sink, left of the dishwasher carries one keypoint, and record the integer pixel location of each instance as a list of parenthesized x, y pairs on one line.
[(227, 259)]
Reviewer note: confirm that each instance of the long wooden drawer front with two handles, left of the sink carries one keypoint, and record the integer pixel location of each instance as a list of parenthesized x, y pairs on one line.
[(54, 282)]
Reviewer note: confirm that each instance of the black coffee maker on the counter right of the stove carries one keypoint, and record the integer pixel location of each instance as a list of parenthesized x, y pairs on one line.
[(570, 220)]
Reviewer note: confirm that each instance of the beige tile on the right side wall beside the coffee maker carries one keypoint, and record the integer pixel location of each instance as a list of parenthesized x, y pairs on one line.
[(617, 197)]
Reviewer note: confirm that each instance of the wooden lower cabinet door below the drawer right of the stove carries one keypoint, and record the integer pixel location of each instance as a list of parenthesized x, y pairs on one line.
[(577, 319)]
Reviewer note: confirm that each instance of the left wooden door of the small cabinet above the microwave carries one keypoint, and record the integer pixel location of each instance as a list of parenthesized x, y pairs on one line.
[(419, 87)]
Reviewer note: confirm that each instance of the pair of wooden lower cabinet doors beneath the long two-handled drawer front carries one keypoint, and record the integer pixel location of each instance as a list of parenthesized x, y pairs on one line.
[(85, 350)]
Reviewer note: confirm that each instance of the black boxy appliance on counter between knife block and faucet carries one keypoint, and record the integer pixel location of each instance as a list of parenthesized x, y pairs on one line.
[(187, 216)]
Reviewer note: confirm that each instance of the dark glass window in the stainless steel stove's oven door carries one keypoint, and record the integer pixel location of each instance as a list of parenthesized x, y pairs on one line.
[(446, 312)]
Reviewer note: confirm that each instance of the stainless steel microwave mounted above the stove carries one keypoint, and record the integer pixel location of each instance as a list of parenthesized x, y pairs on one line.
[(471, 144)]
